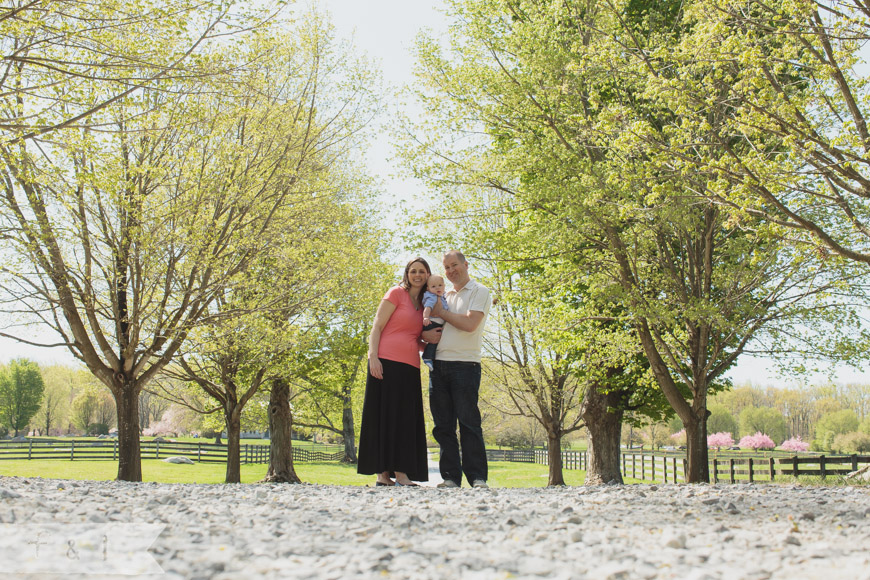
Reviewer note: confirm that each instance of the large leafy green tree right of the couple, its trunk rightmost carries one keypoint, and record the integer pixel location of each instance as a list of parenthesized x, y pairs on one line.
[(553, 88)]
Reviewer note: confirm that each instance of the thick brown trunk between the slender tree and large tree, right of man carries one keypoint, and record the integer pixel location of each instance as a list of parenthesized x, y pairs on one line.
[(604, 428)]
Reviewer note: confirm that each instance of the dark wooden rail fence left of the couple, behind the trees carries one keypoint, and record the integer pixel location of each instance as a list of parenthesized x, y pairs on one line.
[(105, 449)]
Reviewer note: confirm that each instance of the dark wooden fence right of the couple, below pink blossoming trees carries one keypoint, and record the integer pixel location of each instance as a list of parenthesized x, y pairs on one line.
[(726, 468)]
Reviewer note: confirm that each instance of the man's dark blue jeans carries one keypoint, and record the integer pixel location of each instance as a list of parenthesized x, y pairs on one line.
[(453, 391)]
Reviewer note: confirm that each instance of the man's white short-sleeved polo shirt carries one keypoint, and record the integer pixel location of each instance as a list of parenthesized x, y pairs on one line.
[(458, 345)]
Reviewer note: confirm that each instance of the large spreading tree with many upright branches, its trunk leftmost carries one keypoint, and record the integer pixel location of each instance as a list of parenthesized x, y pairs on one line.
[(128, 237)]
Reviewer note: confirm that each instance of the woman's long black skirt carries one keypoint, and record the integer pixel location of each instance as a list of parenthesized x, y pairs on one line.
[(393, 431)]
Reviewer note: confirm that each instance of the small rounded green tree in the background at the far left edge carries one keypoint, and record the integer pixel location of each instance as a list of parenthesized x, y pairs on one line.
[(21, 391)]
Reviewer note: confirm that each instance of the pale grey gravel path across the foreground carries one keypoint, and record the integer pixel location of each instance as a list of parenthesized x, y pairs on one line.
[(318, 531)]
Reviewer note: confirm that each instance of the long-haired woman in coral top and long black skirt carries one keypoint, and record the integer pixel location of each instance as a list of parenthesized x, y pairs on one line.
[(393, 434)]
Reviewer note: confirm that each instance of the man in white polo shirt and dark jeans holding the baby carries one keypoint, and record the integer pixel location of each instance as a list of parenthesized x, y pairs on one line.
[(455, 380)]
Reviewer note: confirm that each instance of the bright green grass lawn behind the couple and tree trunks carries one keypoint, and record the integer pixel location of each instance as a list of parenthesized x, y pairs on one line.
[(501, 474)]
